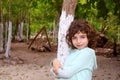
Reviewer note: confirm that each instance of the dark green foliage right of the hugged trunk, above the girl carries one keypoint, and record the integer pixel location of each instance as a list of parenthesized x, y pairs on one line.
[(101, 14)]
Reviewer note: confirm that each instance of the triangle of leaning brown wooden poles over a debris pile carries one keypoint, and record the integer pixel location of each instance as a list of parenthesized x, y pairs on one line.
[(44, 44)]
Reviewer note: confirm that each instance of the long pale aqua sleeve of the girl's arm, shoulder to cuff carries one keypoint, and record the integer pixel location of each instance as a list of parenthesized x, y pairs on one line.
[(77, 62)]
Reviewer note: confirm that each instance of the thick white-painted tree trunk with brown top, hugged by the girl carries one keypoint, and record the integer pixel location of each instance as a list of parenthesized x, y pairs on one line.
[(67, 16)]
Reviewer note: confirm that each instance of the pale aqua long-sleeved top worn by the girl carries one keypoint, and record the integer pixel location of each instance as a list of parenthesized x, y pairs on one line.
[(79, 65)]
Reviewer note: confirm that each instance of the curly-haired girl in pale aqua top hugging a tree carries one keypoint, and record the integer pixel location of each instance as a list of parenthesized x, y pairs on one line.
[(81, 61)]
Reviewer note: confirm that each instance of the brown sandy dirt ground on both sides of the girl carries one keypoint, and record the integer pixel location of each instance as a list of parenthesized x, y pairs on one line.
[(33, 65)]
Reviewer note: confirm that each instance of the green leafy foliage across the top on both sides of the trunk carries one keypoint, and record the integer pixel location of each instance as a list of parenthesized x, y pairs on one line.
[(100, 13)]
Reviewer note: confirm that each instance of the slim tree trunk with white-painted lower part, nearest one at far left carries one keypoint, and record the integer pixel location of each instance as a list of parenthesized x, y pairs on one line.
[(7, 53)]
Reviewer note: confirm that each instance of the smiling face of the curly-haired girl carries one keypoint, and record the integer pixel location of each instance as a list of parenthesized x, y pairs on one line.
[(80, 40)]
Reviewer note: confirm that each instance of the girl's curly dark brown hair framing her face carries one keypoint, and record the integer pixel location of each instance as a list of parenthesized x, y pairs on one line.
[(76, 26)]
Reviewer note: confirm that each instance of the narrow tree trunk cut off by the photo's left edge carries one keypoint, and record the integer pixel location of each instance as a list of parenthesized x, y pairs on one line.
[(1, 27)]
